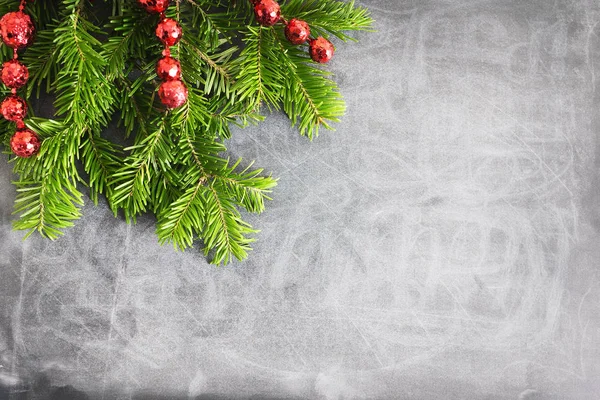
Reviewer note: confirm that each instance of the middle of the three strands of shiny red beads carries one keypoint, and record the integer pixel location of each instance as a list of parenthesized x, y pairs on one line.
[(172, 91)]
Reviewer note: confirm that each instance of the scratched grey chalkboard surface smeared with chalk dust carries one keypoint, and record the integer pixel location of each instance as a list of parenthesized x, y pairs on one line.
[(442, 244)]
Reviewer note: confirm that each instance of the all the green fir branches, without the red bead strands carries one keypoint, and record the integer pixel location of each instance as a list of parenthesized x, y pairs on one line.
[(99, 66)]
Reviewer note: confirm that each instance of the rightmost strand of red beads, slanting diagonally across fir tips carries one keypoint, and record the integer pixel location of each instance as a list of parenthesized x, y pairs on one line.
[(268, 13)]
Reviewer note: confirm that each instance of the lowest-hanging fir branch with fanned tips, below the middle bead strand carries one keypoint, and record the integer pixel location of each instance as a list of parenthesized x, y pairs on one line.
[(211, 192)]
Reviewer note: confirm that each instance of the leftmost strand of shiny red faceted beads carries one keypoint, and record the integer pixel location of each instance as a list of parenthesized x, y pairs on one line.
[(17, 31)]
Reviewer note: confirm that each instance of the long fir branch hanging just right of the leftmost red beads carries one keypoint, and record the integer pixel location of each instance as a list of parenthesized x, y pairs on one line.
[(84, 98)]
